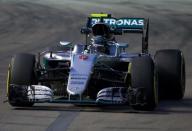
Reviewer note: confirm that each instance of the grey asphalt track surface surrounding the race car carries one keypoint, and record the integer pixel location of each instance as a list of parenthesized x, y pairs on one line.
[(31, 26)]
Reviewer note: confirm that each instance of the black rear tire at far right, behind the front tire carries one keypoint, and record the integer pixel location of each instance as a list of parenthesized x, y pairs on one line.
[(170, 65)]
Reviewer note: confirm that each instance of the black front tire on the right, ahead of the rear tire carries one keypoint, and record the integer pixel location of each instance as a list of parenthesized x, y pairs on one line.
[(143, 75)]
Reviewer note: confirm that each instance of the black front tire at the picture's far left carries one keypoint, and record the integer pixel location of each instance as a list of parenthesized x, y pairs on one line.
[(20, 74)]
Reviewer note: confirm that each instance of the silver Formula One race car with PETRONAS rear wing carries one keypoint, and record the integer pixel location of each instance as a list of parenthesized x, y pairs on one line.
[(99, 71)]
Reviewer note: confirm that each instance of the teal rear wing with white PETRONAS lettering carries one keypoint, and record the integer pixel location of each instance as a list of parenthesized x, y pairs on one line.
[(124, 25)]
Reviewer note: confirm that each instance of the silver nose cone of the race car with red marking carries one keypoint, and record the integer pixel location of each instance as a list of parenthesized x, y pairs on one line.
[(80, 73)]
